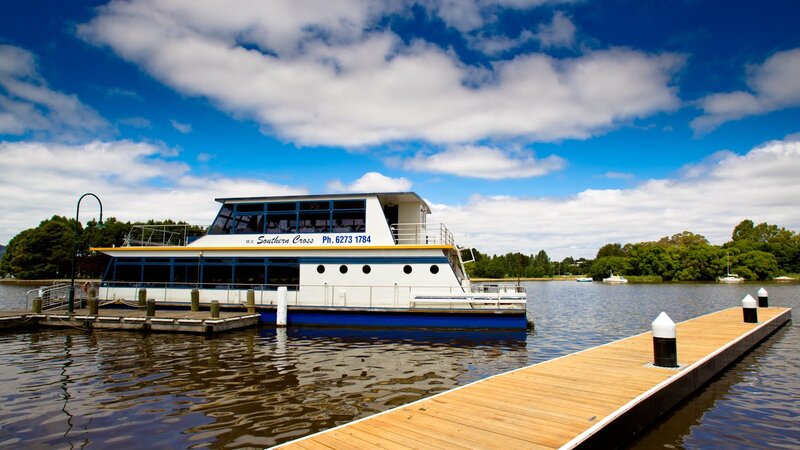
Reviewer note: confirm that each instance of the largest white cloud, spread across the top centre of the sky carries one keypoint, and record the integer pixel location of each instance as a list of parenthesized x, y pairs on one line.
[(322, 76)]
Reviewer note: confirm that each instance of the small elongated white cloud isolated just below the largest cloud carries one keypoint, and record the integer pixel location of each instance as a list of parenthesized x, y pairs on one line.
[(485, 162)]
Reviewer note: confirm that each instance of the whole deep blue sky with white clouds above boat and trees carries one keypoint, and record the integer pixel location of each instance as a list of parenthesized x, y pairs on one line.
[(527, 125)]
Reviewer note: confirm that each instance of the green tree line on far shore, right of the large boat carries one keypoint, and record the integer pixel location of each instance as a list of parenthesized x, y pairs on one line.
[(755, 252)]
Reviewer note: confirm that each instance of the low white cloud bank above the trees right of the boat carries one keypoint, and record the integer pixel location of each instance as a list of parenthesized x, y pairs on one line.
[(761, 185)]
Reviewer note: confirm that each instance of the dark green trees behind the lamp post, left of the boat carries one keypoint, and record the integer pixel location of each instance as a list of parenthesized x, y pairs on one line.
[(45, 252)]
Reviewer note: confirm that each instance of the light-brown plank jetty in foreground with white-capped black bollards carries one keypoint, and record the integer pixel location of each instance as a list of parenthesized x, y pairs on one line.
[(598, 398)]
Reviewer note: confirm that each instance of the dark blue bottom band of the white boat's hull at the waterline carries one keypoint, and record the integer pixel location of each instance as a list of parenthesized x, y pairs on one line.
[(400, 319)]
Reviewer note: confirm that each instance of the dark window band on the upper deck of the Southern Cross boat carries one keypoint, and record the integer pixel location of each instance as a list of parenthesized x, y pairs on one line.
[(327, 216)]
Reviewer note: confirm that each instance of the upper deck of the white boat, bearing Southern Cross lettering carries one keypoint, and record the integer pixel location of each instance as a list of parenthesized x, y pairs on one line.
[(374, 221)]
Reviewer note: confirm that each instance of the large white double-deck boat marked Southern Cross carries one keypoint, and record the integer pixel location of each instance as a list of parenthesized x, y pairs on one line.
[(346, 259)]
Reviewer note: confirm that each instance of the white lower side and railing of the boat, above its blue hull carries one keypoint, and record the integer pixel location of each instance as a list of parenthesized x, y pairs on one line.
[(332, 295)]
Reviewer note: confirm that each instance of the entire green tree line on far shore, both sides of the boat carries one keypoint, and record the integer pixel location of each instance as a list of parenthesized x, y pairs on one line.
[(756, 252)]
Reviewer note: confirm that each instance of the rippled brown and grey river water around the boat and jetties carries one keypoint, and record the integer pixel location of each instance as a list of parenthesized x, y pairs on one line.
[(259, 387)]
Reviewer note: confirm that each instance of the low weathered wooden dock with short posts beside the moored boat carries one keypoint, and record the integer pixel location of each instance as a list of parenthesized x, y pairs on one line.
[(133, 319)]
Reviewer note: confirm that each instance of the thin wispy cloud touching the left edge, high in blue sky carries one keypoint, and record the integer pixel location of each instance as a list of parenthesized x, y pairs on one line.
[(28, 105)]
